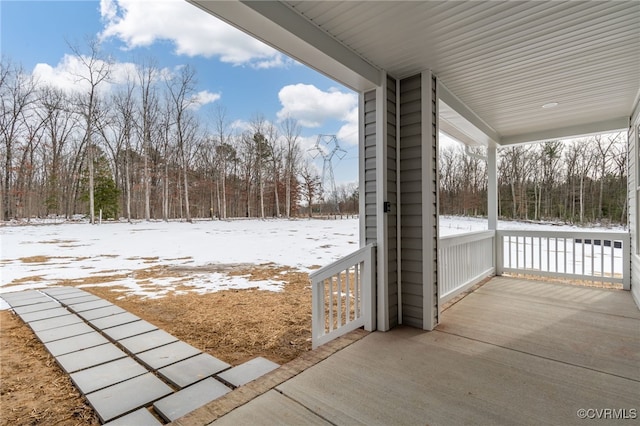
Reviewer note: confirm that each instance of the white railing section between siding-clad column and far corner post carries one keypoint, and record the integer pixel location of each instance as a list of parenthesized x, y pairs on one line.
[(463, 261)]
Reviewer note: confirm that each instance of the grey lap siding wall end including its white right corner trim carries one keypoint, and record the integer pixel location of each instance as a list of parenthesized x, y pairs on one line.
[(418, 200)]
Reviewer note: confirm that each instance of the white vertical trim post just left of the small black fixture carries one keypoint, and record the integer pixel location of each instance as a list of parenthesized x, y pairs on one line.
[(381, 216)]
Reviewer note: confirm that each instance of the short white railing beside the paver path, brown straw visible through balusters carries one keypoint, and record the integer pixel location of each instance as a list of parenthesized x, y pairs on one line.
[(343, 296)]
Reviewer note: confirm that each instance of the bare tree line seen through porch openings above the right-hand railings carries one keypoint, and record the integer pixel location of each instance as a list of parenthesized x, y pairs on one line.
[(579, 181)]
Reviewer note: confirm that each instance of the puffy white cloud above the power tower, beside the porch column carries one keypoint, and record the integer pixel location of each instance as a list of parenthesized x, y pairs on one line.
[(312, 107)]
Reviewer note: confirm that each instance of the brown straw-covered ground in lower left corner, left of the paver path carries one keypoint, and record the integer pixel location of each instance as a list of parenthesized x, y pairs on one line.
[(33, 389)]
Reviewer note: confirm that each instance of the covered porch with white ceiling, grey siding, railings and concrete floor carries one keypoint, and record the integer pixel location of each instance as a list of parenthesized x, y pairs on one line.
[(515, 351)]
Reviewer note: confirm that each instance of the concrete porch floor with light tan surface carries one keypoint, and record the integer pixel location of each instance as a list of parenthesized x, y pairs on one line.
[(512, 352)]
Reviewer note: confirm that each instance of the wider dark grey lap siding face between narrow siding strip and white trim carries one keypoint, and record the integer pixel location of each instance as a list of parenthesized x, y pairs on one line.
[(411, 200)]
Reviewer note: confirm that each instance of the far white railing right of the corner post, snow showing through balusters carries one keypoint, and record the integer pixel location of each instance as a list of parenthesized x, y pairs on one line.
[(587, 256)]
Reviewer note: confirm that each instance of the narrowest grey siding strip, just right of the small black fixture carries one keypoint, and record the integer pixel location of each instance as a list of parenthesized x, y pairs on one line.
[(392, 198)]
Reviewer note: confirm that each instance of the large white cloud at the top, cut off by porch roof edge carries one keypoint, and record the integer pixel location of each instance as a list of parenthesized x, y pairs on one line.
[(193, 32)]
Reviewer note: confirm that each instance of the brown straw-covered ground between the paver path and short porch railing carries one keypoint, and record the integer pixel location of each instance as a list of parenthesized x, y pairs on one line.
[(233, 325)]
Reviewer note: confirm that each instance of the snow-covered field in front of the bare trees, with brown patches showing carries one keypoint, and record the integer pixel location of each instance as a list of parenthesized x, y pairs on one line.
[(33, 256)]
